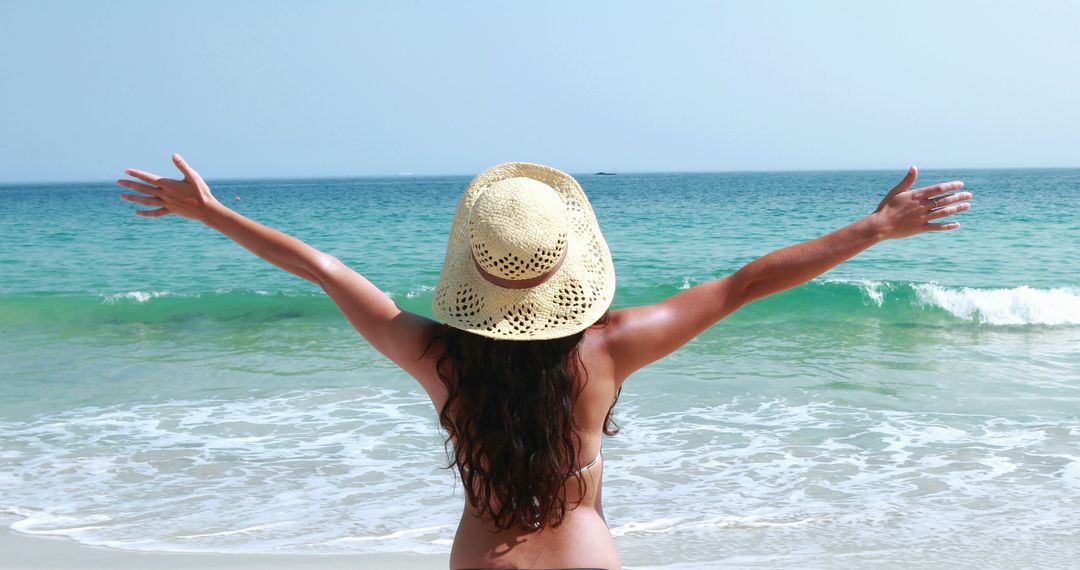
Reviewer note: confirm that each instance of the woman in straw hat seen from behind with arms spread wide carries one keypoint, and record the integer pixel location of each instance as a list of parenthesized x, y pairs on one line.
[(529, 362)]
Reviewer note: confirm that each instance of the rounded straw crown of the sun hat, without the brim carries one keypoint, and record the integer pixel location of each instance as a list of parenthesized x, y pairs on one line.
[(518, 229)]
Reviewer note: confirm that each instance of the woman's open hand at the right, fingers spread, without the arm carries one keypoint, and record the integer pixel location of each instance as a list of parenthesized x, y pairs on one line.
[(906, 212)]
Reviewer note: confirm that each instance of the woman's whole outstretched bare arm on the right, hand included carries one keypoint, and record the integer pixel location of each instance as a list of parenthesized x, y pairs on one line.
[(639, 336)]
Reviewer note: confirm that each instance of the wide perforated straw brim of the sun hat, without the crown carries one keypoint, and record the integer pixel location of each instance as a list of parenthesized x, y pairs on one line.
[(574, 298)]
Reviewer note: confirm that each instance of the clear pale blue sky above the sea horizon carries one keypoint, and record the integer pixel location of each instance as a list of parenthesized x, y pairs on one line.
[(341, 89)]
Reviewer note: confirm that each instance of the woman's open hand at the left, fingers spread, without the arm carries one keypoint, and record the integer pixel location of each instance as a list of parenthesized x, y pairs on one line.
[(190, 198)]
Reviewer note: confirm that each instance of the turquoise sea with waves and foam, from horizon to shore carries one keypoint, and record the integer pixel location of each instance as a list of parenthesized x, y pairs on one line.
[(164, 389)]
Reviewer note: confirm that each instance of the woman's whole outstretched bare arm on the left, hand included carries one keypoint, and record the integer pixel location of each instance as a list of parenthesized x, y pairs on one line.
[(401, 336)]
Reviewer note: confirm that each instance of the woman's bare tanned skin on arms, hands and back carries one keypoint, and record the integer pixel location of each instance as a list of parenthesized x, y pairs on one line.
[(633, 337)]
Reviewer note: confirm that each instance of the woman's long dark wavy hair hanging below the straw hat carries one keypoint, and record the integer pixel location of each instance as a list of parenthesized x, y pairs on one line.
[(509, 419)]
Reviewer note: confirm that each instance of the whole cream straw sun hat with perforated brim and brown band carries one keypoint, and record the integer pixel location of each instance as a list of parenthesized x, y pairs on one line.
[(526, 260)]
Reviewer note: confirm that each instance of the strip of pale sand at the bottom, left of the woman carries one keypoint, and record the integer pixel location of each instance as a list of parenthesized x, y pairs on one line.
[(24, 552)]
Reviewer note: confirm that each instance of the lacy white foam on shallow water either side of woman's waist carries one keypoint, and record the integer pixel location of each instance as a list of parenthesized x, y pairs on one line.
[(357, 471)]
